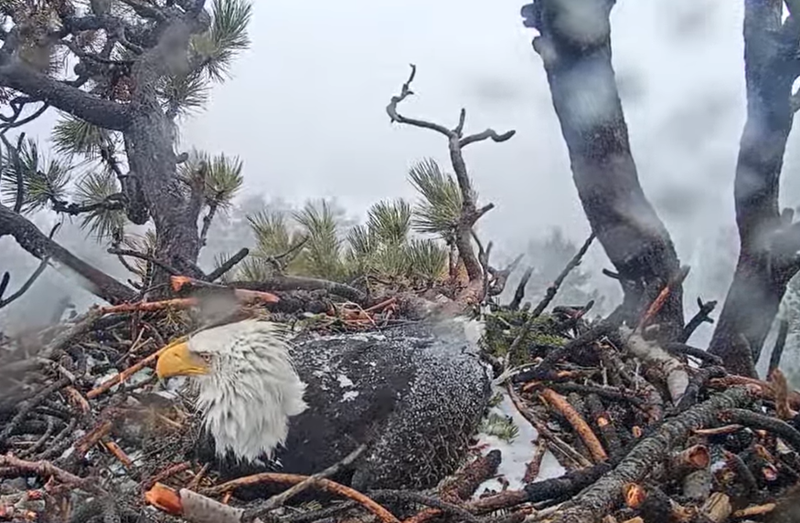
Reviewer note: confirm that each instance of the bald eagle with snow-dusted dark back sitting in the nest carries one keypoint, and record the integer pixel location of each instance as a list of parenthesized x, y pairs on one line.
[(414, 396)]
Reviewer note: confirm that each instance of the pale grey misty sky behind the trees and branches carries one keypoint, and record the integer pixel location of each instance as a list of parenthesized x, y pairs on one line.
[(305, 111)]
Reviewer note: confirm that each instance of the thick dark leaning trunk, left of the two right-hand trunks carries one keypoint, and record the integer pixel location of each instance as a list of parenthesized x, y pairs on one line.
[(575, 46)]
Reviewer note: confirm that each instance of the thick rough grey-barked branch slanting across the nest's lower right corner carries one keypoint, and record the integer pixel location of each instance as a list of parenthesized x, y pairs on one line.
[(604, 495)]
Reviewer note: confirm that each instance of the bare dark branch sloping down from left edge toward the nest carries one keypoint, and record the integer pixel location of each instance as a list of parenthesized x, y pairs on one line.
[(30, 238)]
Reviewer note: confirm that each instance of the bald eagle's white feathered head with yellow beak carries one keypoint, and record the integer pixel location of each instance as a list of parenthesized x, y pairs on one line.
[(247, 386)]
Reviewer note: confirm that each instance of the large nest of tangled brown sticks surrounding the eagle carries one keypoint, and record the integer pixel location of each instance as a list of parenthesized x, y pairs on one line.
[(660, 433)]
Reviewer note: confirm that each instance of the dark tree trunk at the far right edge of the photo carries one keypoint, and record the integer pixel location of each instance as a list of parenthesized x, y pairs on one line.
[(768, 241)]
